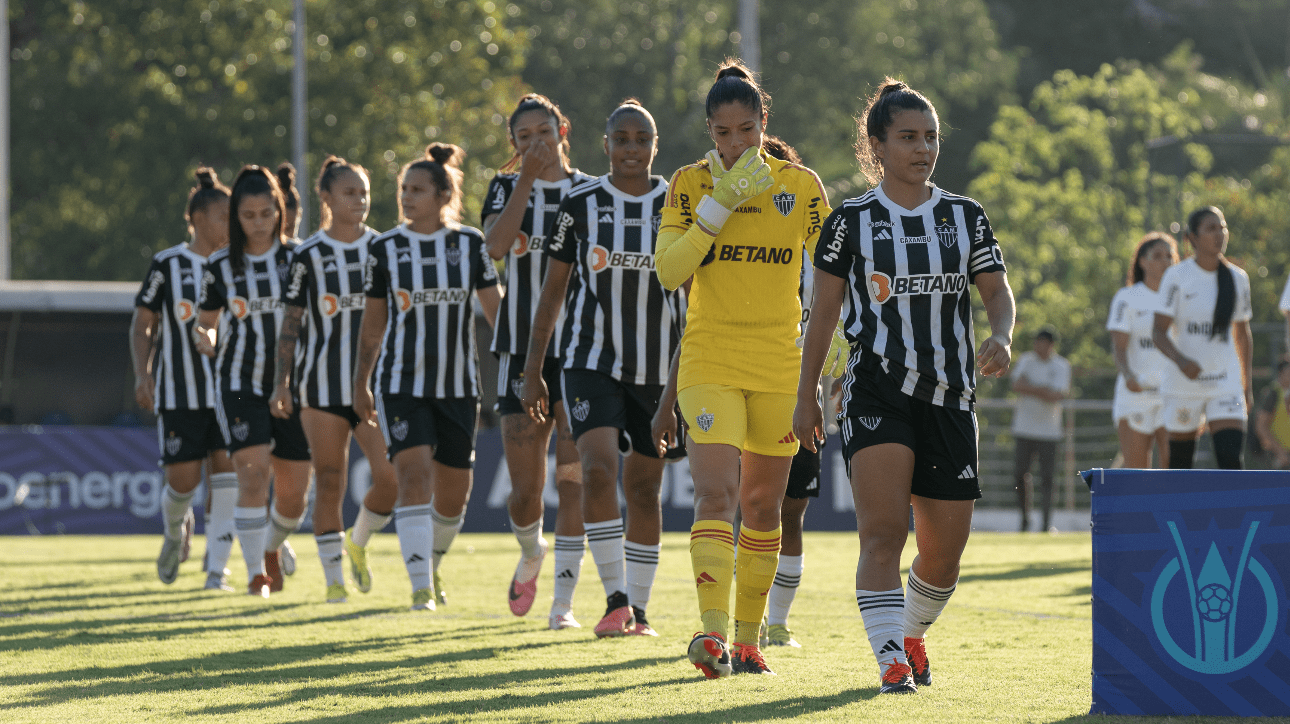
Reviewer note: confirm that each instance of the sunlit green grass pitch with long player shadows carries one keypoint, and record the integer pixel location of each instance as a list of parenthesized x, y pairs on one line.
[(88, 634)]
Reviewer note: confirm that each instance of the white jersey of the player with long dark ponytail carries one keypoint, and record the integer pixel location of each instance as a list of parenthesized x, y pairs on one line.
[(1189, 295)]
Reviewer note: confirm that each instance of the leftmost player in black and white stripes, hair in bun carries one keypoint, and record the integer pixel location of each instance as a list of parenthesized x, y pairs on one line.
[(179, 387)]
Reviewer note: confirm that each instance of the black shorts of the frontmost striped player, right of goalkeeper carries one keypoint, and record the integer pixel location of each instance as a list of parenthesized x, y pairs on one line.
[(944, 441)]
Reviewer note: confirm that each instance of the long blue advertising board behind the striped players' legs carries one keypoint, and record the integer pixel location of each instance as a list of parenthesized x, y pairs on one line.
[(68, 479)]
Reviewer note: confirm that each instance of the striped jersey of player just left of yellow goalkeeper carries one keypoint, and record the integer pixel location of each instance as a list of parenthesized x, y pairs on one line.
[(619, 318)]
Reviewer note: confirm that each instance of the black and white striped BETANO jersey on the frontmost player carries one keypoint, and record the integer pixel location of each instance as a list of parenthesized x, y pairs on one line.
[(909, 300)]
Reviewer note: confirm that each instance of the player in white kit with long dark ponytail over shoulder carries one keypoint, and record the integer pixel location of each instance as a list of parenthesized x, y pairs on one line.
[(1207, 301)]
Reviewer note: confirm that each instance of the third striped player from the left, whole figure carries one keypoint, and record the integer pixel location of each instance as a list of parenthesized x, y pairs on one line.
[(326, 283)]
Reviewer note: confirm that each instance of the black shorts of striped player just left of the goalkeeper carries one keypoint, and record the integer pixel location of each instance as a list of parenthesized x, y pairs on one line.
[(599, 401)]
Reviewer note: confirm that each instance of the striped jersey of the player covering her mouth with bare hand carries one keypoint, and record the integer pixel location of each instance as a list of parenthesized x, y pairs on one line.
[(526, 264)]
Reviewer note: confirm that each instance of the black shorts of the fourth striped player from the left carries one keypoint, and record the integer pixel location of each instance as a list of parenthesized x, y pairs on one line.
[(447, 425)]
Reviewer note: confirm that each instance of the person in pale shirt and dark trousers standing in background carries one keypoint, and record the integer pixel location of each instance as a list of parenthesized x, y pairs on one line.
[(1042, 380)]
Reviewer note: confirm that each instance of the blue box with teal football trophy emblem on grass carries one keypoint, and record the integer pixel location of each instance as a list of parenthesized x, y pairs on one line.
[(1190, 610)]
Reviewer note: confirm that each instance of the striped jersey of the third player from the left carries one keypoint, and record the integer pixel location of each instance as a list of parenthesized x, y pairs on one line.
[(327, 279)]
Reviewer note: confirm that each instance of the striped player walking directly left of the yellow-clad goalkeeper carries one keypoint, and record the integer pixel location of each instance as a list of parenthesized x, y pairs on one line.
[(620, 332)]
